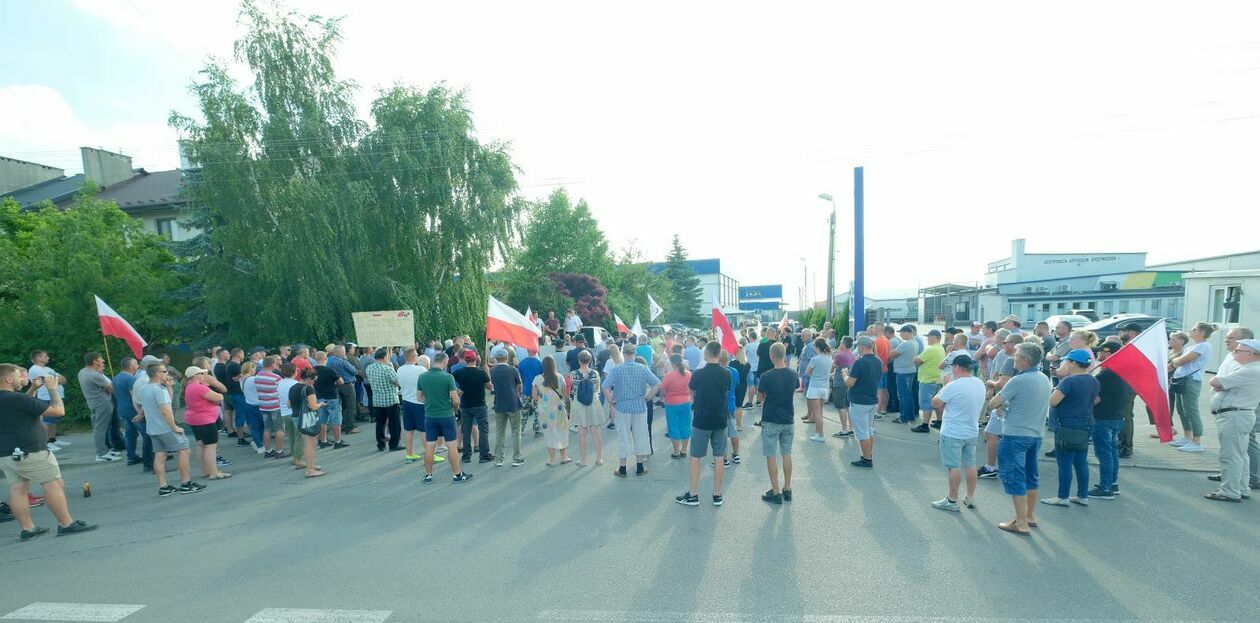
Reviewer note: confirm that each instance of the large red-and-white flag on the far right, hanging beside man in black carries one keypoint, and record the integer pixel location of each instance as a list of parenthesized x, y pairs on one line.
[(1143, 365)]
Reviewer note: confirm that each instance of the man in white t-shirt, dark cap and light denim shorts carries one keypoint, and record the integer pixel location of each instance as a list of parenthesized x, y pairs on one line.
[(959, 405)]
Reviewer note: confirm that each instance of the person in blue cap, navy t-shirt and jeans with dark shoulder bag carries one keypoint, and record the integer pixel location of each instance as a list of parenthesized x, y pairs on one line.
[(1073, 416)]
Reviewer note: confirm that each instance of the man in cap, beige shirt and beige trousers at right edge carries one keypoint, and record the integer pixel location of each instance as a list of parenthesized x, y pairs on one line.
[(1235, 397)]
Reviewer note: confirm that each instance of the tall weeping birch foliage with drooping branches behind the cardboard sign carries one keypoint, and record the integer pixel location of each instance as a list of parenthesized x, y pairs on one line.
[(309, 218)]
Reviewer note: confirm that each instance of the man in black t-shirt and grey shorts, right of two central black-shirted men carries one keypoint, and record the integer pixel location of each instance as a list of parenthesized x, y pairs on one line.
[(777, 390)]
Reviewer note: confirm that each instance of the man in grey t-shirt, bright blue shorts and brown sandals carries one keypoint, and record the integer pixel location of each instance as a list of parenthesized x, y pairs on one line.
[(1024, 405)]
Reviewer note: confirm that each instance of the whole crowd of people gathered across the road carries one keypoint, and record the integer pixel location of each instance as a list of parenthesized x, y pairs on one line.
[(992, 381)]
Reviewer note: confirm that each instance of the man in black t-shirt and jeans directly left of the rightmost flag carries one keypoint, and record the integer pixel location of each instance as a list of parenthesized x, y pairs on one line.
[(1116, 400)]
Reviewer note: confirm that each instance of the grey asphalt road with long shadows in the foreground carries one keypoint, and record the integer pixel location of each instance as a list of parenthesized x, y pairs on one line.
[(371, 543)]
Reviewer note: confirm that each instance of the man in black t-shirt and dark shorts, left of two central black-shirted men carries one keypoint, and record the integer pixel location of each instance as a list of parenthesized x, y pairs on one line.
[(709, 387)]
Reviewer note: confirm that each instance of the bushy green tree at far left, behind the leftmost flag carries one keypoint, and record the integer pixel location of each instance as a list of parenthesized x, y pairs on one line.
[(55, 260)]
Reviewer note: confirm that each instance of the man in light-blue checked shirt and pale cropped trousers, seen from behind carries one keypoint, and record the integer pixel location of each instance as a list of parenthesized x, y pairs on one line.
[(628, 390)]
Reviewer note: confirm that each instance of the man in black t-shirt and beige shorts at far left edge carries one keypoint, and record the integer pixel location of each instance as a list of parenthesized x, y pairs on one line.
[(22, 434)]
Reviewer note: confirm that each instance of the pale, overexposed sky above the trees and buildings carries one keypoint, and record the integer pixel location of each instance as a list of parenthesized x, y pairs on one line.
[(1079, 127)]
